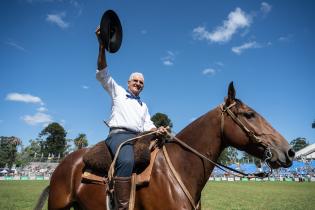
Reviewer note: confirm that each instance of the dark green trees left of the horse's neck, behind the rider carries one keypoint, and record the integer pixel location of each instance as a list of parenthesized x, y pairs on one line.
[(51, 144)]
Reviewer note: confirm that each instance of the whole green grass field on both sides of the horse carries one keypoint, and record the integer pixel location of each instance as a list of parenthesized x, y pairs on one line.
[(19, 195)]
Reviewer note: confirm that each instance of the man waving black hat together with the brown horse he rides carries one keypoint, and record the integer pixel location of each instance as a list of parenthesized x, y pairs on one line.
[(182, 168)]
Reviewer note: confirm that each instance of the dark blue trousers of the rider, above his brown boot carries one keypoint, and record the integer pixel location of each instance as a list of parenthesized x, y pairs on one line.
[(125, 160)]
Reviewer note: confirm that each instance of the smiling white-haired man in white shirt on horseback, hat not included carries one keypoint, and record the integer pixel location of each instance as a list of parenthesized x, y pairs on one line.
[(129, 117)]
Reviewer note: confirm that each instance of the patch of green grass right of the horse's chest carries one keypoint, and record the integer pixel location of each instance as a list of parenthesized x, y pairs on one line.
[(259, 195)]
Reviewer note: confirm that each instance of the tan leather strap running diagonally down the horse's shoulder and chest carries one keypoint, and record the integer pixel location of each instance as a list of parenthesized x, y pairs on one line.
[(179, 180)]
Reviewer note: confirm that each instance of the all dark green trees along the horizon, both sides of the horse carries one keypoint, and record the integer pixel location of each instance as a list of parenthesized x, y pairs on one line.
[(52, 143)]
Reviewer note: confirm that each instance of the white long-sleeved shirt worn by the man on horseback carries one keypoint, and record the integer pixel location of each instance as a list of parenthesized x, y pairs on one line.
[(126, 112)]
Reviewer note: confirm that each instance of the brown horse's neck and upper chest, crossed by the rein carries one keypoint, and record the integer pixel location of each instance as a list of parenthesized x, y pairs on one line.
[(204, 136)]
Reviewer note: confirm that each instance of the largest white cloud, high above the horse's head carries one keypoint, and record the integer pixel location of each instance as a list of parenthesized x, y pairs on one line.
[(236, 19)]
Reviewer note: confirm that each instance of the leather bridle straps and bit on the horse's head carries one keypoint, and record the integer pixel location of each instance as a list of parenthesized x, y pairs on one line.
[(251, 134)]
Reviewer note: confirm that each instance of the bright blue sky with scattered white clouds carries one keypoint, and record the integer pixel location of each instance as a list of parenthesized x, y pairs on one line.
[(188, 52)]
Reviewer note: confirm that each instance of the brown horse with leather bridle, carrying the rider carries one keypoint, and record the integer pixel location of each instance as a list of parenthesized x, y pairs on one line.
[(230, 124)]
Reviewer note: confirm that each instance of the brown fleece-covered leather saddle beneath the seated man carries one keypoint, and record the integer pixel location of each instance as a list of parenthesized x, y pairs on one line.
[(98, 159)]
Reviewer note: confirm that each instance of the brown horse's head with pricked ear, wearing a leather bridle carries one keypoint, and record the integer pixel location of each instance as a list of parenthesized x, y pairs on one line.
[(245, 129)]
